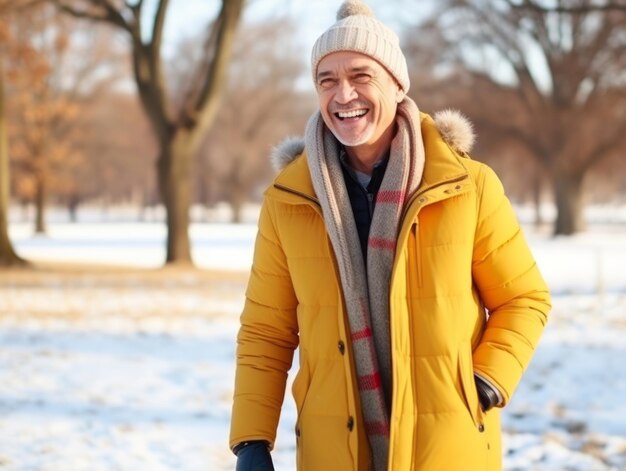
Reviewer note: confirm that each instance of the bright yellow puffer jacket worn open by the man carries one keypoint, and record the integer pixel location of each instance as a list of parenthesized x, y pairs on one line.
[(460, 254)]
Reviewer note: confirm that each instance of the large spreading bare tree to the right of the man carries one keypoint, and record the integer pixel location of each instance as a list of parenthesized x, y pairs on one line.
[(553, 81)]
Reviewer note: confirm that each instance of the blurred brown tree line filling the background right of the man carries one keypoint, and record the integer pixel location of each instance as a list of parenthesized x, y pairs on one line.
[(544, 83)]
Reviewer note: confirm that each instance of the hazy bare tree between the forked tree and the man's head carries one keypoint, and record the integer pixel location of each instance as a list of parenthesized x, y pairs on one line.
[(261, 106)]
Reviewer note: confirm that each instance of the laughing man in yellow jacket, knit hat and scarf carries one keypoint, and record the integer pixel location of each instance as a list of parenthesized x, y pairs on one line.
[(396, 265)]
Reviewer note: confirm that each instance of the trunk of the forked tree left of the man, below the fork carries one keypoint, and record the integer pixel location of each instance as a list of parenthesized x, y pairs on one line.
[(174, 170)]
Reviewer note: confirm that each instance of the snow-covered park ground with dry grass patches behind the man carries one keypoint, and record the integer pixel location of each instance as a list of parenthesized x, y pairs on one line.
[(132, 368)]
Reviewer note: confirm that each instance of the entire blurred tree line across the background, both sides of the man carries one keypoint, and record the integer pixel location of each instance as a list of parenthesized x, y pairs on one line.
[(94, 112)]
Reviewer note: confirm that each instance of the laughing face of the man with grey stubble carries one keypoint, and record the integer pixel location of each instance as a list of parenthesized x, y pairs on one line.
[(358, 99)]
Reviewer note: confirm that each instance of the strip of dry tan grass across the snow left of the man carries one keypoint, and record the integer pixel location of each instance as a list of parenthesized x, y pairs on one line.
[(76, 292)]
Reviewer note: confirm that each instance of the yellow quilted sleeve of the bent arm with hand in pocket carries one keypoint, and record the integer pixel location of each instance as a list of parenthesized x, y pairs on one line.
[(510, 286)]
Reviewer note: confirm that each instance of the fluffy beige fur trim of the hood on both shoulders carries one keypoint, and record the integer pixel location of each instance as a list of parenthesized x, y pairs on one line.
[(455, 129)]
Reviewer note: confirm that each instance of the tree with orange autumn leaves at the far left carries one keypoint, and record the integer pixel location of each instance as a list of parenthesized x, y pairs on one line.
[(54, 68)]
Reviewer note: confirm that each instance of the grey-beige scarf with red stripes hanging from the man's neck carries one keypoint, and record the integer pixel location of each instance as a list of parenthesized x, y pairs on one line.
[(366, 292)]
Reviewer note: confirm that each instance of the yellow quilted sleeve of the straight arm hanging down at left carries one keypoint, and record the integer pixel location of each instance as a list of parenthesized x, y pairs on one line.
[(267, 338)]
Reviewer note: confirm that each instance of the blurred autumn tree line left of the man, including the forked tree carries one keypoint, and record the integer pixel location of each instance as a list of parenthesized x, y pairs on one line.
[(146, 147)]
